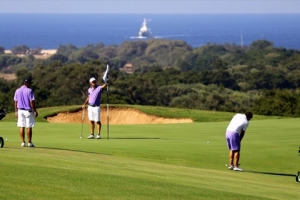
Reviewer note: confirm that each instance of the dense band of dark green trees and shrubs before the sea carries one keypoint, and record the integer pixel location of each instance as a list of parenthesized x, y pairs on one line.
[(218, 77)]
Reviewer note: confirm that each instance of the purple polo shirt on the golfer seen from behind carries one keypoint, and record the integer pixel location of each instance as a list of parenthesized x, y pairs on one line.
[(23, 96)]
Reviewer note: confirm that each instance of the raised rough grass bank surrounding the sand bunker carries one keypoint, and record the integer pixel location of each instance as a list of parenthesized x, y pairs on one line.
[(195, 115)]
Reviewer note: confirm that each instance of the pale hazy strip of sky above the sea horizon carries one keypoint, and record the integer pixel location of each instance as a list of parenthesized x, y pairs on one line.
[(150, 6)]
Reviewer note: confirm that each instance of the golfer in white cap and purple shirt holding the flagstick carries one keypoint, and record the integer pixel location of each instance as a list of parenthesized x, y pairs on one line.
[(94, 96)]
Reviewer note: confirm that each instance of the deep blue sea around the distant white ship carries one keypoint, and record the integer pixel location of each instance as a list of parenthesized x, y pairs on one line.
[(48, 31)]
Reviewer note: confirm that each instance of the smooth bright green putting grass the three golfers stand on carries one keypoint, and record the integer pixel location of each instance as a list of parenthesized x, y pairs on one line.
[(167, 161)]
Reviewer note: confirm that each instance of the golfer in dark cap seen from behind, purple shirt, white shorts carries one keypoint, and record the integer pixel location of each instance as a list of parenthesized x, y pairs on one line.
[(25, 111)]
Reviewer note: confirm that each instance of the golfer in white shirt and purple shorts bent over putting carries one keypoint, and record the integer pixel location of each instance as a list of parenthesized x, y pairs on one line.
[(234, 135)]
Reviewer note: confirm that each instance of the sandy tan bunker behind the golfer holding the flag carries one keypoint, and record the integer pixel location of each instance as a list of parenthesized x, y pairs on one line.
[(116, 116)]
